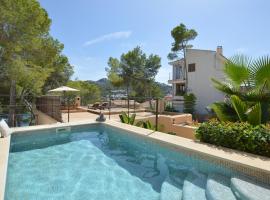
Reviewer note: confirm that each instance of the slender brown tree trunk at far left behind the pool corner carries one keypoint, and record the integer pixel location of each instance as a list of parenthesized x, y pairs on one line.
[(12, 104)]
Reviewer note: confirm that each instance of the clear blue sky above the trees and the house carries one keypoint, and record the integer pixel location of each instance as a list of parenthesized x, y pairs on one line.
[(94, 30)]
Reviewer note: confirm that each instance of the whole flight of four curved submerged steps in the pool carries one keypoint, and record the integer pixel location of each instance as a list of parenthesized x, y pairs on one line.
[(198, 186)]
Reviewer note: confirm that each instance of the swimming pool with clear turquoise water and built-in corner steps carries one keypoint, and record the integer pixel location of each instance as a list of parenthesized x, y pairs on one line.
[(103, 162)]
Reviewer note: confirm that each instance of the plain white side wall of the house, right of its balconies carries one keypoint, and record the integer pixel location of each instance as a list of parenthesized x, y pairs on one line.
[(208, 65)]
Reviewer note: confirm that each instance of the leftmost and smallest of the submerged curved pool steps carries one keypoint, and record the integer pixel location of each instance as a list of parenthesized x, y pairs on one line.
[(170, 190)]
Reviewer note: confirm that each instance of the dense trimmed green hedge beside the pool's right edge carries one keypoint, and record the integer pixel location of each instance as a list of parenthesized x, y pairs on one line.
[(236, 135)]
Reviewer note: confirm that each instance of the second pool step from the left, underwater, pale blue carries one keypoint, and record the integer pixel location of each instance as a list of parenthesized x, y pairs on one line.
[(194, 186)]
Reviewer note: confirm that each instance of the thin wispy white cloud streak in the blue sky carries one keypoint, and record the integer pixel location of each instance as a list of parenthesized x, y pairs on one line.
[(110, 36)]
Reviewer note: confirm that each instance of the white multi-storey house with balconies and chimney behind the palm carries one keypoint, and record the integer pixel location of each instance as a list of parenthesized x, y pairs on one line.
[(202, 65)]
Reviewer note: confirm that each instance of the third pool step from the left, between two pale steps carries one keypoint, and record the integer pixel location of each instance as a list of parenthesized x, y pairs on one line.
[(218, 187)]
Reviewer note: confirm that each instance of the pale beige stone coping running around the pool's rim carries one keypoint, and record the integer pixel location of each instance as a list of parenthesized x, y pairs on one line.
[(246, 160)]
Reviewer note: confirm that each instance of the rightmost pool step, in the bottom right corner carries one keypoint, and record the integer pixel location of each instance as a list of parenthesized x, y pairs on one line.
[(245, 188)]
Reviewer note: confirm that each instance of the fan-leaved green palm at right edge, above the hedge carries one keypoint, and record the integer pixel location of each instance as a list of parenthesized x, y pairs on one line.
[(249, 81)]
